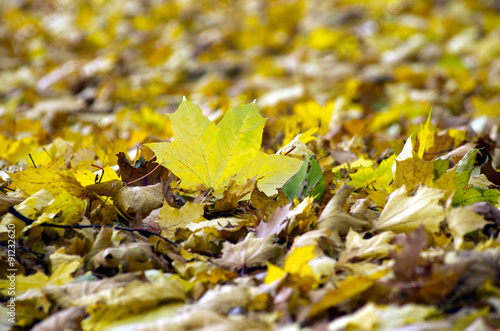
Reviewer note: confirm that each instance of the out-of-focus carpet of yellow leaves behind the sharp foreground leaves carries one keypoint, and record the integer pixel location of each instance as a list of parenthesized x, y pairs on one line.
[(102, 74)]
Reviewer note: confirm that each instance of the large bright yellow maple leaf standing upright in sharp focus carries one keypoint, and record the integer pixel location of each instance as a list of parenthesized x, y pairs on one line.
[(205, 155)]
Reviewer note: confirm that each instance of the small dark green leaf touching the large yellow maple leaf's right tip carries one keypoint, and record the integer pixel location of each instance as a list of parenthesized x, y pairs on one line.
[(308, 181)]
